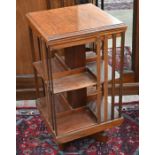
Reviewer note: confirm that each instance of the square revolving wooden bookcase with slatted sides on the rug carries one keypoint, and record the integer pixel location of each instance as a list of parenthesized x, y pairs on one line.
[(56, 29)]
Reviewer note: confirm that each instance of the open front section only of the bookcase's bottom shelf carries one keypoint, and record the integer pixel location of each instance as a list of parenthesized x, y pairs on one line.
[(75, 120)]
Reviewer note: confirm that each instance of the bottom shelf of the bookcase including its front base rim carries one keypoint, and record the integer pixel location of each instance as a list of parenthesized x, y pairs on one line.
[(76, 123)]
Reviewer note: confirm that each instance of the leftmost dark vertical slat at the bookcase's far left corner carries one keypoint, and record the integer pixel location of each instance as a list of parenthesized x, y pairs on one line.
[(33, 60)]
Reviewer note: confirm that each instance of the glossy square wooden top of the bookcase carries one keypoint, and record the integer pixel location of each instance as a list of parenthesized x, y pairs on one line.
[(72, 21)]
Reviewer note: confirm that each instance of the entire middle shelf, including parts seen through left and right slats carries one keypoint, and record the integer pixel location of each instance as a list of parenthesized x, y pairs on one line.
[(74, 79)]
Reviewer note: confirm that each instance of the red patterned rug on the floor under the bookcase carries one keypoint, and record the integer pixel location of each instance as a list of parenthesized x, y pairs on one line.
[(34, 139)]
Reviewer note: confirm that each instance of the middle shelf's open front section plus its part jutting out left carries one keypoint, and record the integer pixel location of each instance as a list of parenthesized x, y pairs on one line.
[(68, 80)]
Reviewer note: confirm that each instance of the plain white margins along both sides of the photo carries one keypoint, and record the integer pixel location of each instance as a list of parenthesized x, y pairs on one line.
[(8, 77)]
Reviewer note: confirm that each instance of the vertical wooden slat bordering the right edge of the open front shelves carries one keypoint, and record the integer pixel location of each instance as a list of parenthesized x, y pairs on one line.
[(98, 45)]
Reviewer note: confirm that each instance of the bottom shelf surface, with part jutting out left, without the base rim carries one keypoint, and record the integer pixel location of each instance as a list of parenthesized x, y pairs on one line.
[(69, 120)]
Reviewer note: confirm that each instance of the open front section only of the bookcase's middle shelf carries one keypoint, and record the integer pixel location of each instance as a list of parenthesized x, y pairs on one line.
[(72, 80)]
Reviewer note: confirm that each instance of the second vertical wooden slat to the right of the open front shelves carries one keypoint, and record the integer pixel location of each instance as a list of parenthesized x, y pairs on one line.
[(105, 78)]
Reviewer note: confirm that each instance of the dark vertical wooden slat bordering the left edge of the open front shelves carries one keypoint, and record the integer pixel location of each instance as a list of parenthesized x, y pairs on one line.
[(50, 69)]
